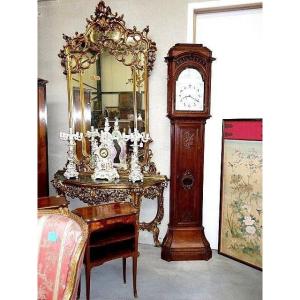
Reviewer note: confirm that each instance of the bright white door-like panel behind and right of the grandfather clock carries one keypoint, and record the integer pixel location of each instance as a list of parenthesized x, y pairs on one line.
[(236, 41)]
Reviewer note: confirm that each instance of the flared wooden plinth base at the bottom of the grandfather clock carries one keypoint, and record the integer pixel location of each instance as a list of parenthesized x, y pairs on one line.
[(185, 244)]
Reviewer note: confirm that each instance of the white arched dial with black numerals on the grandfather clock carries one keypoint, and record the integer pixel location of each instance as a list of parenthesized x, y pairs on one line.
[(189, 91)]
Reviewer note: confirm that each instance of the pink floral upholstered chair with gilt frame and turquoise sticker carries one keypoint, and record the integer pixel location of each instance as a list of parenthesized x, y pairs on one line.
[(62, 240)]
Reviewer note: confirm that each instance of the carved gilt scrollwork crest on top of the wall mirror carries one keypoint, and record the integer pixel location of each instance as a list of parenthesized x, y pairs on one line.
[(107, 31)]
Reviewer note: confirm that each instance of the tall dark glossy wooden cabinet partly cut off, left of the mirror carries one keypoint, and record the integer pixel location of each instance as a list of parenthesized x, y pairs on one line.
[(43, 185)]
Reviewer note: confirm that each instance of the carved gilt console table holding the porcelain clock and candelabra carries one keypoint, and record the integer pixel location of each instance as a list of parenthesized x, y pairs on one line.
[(99, 192)]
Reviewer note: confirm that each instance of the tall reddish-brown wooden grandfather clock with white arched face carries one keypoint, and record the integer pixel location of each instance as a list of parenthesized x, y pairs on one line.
[(189, 76)]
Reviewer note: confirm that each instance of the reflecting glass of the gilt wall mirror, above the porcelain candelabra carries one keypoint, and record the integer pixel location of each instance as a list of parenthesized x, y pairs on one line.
[(108, 87)]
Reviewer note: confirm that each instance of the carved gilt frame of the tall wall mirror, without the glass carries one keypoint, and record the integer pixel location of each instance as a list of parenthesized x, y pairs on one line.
[(107, 31)]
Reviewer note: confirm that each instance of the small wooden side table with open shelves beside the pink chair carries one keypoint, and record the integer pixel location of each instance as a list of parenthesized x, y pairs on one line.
[(113, 233)]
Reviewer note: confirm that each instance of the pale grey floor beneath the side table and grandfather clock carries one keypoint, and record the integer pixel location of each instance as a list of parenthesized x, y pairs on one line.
[(220, 278)]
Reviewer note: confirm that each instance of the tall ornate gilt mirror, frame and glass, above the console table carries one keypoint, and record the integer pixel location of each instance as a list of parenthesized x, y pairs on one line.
[(107, 69)]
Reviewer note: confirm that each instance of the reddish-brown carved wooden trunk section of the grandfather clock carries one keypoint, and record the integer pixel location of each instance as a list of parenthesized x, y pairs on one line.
[(188, 181)]
